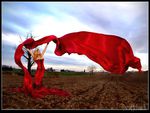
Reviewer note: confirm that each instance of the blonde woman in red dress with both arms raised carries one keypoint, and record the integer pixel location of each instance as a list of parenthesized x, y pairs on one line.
[(38, 57)]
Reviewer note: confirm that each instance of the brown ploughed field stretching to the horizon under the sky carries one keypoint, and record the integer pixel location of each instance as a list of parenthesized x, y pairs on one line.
[(97, 91)]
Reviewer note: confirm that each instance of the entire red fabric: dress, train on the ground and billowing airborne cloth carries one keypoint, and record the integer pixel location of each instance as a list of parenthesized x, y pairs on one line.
[(113, 53)]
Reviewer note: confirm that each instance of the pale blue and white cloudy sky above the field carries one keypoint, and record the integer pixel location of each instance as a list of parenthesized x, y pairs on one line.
[(125, 19)]
